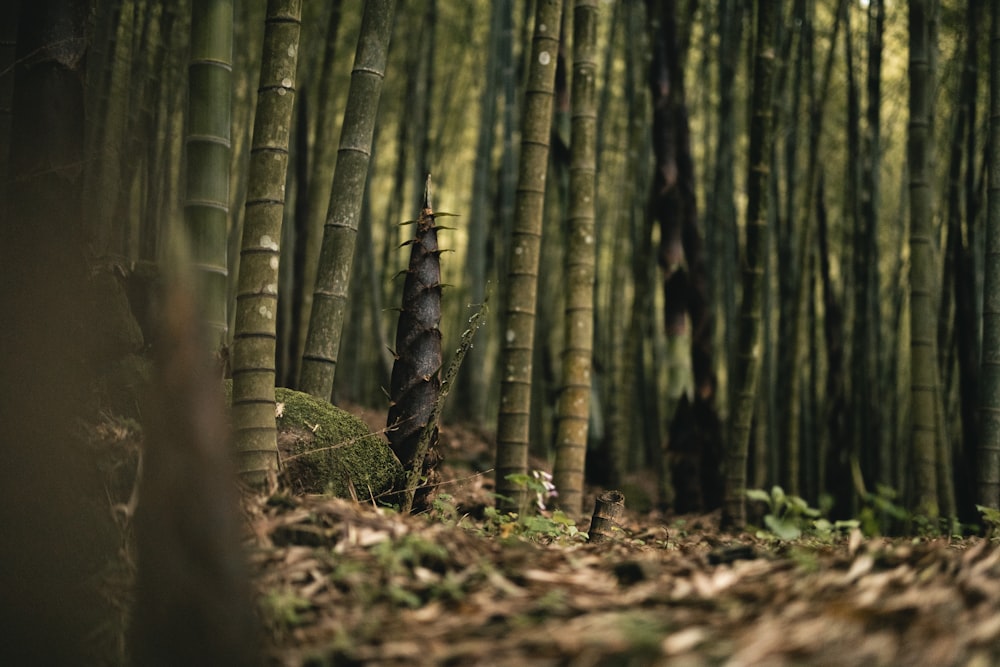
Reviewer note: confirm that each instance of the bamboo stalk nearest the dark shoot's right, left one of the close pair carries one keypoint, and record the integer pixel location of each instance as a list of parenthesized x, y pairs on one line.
[(514, 418)]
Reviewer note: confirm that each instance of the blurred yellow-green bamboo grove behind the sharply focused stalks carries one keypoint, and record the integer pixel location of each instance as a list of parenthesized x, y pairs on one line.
[(852, 273)]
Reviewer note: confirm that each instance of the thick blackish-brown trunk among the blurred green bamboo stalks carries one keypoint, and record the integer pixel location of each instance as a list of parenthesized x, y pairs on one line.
[(694, 443)]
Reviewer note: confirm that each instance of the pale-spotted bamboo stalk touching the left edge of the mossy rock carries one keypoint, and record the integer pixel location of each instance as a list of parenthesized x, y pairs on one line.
[(253, 348)]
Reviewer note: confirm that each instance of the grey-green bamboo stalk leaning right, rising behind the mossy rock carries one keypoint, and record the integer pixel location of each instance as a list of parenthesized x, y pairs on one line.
[(319, 361)]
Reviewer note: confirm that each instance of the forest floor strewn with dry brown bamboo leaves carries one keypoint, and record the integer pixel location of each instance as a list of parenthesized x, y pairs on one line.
[(348, 583)]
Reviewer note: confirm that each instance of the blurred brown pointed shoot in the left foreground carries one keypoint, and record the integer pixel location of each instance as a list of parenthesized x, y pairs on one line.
[(193, 602)]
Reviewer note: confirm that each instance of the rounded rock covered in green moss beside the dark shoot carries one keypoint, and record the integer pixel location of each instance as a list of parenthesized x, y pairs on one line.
[(325, 449)]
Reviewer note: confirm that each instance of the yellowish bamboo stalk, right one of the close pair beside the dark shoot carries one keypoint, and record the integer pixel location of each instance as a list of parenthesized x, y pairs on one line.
[(578, 348)]
